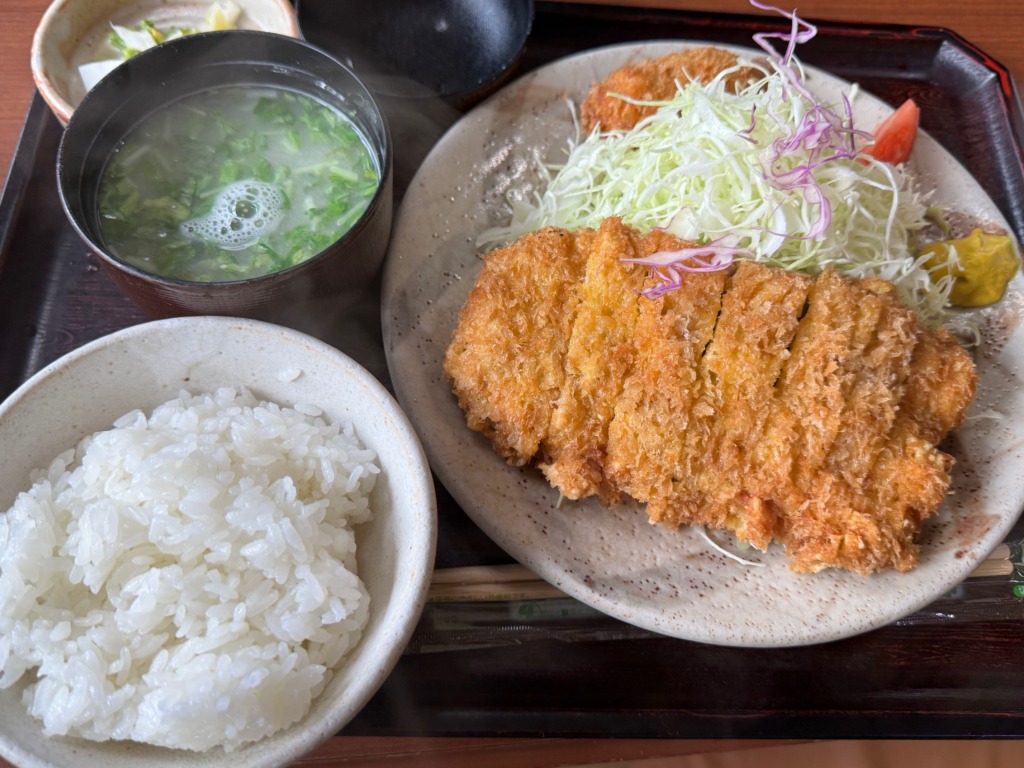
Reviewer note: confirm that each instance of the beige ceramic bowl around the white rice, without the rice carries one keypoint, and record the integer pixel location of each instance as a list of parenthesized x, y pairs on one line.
[(149, 365)]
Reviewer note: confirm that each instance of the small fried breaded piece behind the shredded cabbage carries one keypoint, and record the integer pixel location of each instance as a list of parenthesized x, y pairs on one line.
[(656, 80)]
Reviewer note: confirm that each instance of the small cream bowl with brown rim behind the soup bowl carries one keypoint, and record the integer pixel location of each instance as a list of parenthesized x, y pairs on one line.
[(73, 35)]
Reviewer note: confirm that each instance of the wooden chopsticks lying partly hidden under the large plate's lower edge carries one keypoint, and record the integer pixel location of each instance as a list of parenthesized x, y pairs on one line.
[(516, 582)]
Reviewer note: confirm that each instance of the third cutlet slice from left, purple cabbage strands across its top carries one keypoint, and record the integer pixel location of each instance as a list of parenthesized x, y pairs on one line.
[(647, 438)]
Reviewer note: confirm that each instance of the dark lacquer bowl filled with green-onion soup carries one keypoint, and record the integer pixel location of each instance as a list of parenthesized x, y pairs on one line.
[(237, 174)]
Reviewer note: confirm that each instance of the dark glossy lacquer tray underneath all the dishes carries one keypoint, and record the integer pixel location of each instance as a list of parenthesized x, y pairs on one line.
[(556, 668)]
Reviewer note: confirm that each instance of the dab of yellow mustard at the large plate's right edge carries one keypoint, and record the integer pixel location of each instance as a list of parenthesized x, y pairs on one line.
[(984, 267)]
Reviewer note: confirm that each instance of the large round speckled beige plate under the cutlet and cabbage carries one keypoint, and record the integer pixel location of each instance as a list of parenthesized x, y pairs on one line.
[(613, 560)]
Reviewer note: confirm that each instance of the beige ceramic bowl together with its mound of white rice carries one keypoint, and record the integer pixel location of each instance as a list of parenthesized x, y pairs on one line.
[(217, 538)]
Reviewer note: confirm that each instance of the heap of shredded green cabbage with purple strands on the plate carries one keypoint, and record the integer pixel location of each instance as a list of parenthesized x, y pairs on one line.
[(767, 174)]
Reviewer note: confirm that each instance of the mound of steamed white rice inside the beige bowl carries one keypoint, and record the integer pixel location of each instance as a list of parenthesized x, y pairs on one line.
[(187, 579)]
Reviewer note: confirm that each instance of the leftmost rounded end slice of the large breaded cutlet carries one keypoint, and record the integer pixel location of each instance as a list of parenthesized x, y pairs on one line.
[(506, 360)]
